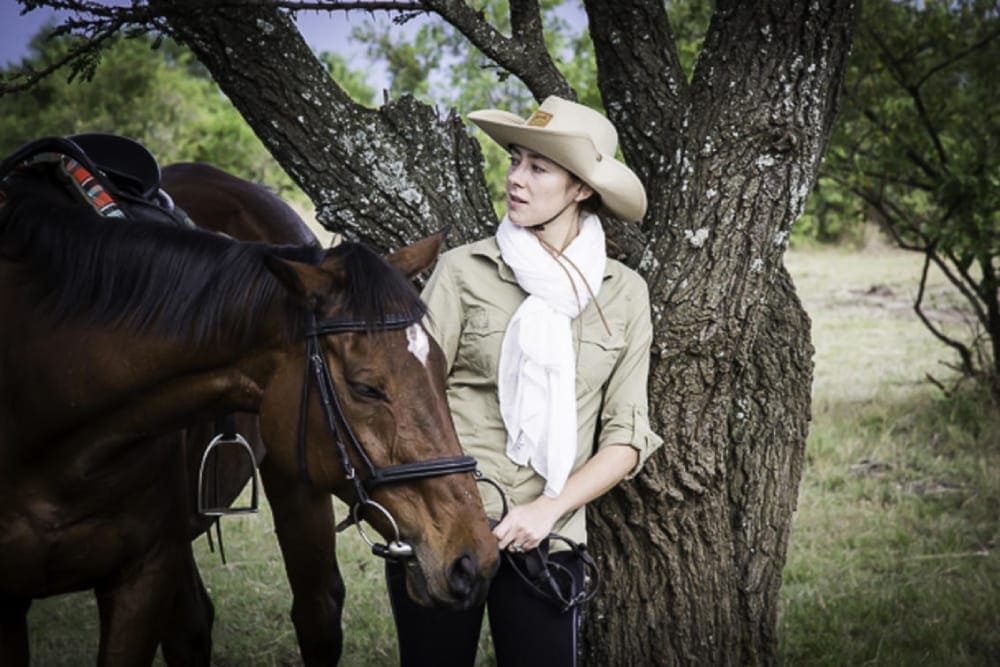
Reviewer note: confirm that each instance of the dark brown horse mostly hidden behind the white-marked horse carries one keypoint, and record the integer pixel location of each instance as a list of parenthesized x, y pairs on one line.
[(303, 517)]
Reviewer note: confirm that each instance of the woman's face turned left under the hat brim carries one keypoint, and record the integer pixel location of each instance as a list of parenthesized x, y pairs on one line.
[(539, 190)]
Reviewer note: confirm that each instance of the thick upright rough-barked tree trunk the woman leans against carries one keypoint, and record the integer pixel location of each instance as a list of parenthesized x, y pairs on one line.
[(693, 548)]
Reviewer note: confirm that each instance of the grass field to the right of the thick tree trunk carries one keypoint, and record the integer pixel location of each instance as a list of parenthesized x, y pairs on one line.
[(893, 554)]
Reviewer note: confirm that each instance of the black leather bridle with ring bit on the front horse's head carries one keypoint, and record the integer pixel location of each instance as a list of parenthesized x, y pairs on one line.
[(317, 371)]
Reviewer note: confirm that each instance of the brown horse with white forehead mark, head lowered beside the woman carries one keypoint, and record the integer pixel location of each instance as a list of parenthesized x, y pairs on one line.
[(117, 335)]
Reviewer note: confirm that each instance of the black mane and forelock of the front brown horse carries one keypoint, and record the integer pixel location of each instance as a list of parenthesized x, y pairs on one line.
[(193, 285)]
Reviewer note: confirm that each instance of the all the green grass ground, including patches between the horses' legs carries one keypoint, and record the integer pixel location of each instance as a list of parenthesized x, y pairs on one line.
[(893, 557)]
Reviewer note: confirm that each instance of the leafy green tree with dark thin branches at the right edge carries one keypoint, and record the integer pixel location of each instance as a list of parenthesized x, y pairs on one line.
[(919, 144)]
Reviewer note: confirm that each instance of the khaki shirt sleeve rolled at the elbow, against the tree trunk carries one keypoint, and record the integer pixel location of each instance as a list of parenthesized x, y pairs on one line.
[(624, 416)]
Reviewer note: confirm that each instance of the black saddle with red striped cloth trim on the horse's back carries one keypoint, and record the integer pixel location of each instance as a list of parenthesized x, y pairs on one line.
[(116, 175)]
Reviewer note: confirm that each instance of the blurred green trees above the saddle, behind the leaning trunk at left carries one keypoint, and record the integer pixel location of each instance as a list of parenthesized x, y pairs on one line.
[(154, 91)]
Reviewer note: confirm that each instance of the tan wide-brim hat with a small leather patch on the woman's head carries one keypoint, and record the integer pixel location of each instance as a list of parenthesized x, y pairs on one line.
[(578, 139)]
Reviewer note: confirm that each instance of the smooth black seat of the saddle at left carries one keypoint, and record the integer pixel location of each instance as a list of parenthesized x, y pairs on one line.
[(127, 163)]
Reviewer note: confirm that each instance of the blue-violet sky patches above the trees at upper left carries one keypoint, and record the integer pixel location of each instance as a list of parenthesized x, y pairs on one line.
[(323, 31)]
